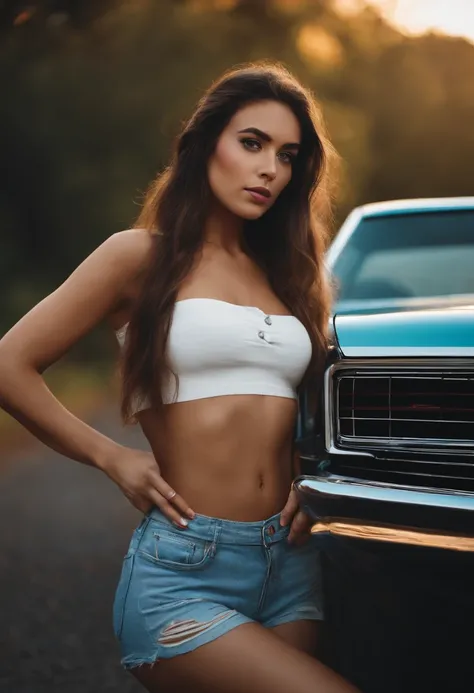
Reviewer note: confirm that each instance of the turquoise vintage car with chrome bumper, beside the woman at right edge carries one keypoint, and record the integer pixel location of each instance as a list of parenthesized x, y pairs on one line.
[(390, 455)]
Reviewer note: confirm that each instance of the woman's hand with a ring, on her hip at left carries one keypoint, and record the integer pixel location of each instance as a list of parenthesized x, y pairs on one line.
[(137, 474)]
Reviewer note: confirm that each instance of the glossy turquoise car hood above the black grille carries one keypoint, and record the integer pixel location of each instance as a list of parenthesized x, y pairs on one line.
[(446, 329)]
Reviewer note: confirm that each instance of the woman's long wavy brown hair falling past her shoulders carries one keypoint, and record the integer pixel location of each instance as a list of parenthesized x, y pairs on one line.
[(288, 241)]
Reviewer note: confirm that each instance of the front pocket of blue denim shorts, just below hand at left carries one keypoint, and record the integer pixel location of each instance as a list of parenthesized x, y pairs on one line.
[(169, 549)]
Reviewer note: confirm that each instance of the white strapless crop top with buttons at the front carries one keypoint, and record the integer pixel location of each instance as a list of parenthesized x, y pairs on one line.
[(219, 348)]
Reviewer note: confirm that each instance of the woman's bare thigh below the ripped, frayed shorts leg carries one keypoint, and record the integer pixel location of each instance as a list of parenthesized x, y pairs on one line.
[(247, 658)]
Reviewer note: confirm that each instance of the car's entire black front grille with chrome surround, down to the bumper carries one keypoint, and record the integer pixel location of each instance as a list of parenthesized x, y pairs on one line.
[(404, 426)]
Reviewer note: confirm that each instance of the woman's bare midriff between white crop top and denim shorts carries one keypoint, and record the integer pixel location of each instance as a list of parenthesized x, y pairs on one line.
[(228, 457)]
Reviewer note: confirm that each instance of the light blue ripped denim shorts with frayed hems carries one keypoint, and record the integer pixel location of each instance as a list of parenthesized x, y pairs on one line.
[(180, 589)]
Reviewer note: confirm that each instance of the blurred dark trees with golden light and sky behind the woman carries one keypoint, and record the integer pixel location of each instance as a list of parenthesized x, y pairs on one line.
[(93, 92)]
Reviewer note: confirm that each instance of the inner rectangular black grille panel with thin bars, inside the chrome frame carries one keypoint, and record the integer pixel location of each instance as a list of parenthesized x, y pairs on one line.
[(403, 409)]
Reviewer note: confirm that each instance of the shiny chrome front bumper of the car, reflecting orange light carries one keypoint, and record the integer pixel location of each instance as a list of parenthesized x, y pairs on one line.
[(372, 511)]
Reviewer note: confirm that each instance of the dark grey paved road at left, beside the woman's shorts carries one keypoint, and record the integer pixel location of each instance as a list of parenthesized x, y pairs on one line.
[(65, 528)]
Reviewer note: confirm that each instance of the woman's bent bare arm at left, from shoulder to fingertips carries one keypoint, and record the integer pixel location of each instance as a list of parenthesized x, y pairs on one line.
[(90, 294)]
